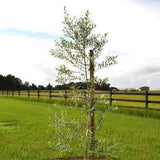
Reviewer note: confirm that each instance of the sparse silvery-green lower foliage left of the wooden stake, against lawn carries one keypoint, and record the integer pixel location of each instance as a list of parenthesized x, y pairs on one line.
[(67, 131)]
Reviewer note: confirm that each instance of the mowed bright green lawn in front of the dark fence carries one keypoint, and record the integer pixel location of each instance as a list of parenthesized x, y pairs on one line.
[(25, 131)]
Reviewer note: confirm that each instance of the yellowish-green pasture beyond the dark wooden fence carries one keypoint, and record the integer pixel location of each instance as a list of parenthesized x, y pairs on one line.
[(116, 97)]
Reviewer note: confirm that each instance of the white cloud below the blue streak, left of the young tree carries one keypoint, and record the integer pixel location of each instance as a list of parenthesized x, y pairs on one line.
[(21, 56)]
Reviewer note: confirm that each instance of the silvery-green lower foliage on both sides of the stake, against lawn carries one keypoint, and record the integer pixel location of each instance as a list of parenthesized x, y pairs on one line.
[(67, 131)]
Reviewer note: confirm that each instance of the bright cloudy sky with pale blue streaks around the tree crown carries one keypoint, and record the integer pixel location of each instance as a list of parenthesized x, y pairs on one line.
[(28, 29)]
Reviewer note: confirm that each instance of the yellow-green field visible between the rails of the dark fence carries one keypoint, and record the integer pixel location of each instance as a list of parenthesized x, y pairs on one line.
[(61, 95)]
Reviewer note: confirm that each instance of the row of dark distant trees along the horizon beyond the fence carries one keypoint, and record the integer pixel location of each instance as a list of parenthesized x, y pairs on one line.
[(10, 82)]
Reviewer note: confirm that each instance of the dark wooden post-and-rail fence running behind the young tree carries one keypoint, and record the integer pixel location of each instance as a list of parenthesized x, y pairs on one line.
[(108, 95)]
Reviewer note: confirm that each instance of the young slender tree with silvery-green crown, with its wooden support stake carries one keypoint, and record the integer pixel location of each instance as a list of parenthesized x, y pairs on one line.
[(79, 39)]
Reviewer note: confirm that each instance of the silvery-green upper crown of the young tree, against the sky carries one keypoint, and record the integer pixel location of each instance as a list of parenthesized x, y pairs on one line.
[(74, 46)]
